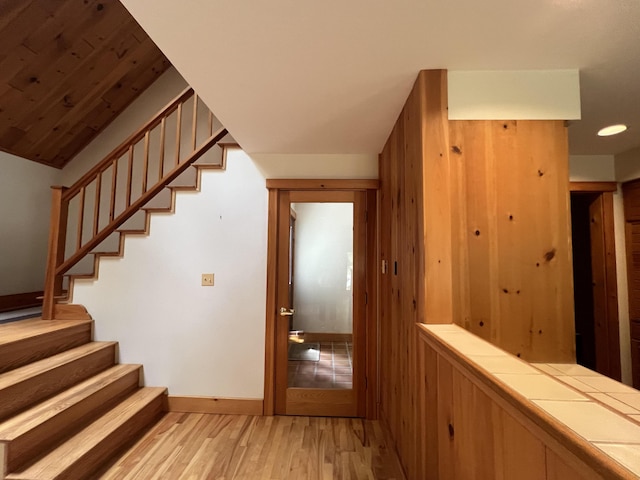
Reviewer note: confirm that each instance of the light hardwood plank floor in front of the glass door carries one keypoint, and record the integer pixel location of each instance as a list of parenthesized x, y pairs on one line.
[(200, 446)]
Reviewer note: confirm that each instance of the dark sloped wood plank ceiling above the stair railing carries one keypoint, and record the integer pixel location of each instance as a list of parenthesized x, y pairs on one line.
[(67, 69)]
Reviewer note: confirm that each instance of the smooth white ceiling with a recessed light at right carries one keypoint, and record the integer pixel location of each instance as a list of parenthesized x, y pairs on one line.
[(292, 76)]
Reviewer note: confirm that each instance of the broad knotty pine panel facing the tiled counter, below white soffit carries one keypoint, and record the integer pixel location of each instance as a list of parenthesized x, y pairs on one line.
[(513, 242)]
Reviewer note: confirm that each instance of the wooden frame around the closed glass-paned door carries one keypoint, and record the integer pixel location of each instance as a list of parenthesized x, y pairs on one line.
[(368, 406)]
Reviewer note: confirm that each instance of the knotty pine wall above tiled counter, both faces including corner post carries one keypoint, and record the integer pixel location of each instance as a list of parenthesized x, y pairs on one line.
[(474, 229)]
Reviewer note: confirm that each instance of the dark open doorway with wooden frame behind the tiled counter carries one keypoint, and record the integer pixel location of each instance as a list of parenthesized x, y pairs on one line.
[(594, 278)]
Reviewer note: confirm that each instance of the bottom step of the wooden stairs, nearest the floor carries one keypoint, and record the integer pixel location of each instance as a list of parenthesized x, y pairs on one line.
[(81, 455)]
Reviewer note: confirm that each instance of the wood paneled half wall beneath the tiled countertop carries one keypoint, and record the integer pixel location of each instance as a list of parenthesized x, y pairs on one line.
[(477, 429)]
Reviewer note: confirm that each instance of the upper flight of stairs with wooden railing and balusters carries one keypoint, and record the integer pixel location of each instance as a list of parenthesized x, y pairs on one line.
[(115, 198)]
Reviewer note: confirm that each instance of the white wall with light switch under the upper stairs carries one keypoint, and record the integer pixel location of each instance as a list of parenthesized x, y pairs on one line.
[(204, 341)]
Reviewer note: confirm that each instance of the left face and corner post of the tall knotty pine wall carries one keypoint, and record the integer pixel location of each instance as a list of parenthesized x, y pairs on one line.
[(417, 285)]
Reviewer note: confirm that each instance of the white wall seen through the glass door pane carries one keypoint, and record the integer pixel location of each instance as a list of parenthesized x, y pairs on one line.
[(324, 239)]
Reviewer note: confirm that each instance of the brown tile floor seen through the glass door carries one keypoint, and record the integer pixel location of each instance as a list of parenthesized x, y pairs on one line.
[(334, 370)]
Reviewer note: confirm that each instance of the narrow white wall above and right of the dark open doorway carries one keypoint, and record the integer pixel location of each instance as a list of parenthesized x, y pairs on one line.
[(602, 168)]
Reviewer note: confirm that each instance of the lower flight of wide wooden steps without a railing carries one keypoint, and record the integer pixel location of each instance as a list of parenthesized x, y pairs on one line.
[(67, 407)]
